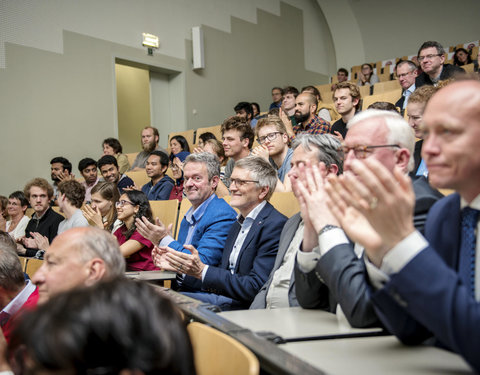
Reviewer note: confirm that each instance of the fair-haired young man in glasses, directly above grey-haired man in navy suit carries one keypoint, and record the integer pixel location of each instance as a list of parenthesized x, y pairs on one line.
[(274, 146)]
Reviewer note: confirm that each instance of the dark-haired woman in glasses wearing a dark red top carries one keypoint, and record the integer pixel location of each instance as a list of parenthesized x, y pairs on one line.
[(136, 249)]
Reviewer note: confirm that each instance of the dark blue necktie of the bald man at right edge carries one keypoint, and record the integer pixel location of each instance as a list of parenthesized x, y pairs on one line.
[(466, 267)]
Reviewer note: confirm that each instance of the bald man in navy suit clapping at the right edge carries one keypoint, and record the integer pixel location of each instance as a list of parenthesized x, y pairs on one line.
[(429, 286)]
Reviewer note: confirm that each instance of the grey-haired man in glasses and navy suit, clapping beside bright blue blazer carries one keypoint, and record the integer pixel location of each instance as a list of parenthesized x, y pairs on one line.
[(251, 244)]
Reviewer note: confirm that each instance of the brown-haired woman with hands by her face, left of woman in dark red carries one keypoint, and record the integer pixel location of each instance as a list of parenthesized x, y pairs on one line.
[(101, 212)]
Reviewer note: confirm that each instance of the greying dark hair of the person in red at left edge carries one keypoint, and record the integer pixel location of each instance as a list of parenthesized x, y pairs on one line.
[(11, 275)]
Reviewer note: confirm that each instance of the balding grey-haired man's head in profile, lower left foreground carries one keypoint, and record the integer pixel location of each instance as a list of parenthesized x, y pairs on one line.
[(78, 257)]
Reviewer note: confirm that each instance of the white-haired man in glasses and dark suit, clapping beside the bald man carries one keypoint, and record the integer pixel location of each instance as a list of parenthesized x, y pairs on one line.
[(330, 270)]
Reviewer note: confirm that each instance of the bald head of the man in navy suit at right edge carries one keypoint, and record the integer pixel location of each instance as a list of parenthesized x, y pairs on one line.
[(451, 147)]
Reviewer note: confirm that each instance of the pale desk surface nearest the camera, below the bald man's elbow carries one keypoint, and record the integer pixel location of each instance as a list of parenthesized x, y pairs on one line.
[(376, 355)]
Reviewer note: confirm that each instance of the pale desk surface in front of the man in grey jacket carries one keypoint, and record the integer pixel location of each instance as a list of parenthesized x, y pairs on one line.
[(295, 323)]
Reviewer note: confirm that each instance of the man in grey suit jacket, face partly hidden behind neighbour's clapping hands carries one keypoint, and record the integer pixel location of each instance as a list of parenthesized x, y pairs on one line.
[(279, 290)]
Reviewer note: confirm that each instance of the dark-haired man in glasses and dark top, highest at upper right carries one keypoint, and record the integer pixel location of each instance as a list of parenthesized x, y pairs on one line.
[(431, 57)]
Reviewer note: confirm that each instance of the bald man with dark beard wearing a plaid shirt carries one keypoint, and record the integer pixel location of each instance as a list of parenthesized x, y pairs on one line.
[(306, 118)]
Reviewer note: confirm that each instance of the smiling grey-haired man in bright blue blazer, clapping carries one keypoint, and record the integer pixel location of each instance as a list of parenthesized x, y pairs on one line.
[(207, 223)]
